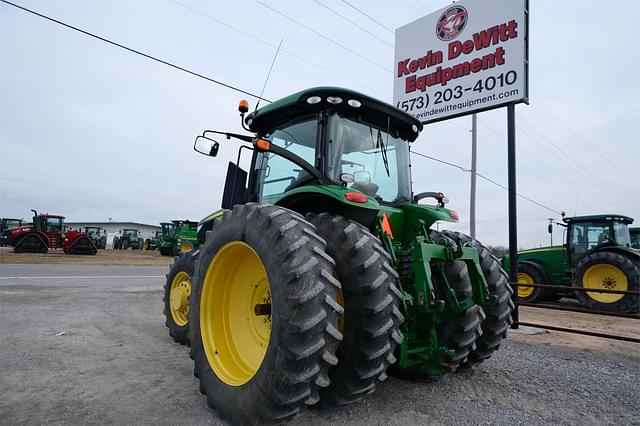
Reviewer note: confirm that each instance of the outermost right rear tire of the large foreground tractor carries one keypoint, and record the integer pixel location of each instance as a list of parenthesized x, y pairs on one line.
[(498, 317)]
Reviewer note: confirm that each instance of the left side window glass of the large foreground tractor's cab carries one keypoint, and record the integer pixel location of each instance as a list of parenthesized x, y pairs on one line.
[(277, 174)]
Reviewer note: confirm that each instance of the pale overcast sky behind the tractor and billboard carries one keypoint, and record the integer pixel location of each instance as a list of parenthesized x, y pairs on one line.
[(94, 132)]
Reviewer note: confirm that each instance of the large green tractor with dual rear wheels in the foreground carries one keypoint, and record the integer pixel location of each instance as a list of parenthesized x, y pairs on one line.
[(323, 268)]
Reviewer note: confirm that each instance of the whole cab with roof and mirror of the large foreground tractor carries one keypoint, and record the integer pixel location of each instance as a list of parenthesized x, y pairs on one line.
[(350, 147)]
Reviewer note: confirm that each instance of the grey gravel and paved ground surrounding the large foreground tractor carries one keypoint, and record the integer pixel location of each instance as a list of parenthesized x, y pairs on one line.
[(86, 344)]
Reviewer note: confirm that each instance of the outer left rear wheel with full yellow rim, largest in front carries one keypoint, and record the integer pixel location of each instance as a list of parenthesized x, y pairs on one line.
[(263, 315)]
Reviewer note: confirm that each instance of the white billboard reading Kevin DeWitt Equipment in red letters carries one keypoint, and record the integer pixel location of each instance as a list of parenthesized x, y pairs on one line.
[(467, 57)]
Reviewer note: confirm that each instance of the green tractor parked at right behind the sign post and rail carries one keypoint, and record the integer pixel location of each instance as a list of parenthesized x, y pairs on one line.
[(597, 254)]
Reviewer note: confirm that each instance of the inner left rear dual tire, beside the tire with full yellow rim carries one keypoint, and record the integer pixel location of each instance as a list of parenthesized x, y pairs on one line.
[(371, 303)]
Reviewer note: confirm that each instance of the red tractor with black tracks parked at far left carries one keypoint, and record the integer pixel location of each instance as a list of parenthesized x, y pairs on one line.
[(47, 231)]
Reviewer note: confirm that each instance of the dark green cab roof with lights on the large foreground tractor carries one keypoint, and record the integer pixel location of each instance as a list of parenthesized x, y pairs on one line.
[(370, 109)]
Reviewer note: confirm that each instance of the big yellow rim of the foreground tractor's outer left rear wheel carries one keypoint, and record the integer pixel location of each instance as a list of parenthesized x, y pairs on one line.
[(235, 319)]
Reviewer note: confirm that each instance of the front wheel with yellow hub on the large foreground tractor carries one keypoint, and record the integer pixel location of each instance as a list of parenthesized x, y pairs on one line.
[(177, 290)]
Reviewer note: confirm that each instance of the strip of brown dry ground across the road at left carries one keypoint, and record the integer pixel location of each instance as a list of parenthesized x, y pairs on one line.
[(104, 257)]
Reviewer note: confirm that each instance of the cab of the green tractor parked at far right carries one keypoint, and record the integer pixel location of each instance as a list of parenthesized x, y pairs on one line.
[(588, 233)]
